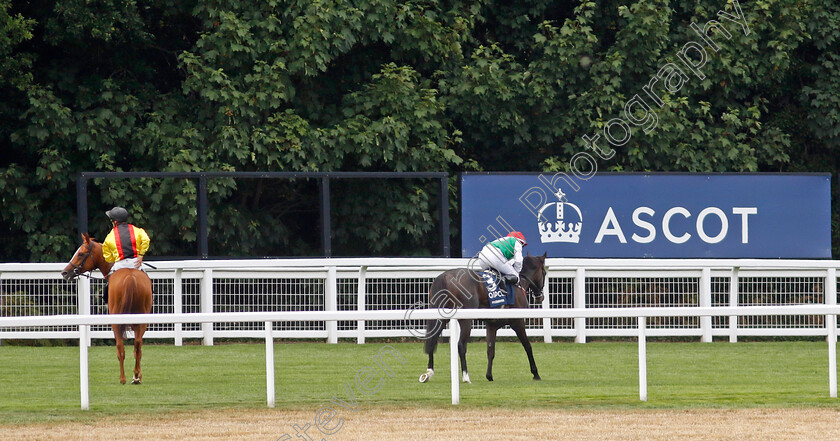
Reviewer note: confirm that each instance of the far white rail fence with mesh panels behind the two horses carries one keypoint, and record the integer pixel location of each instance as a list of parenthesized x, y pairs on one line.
[(382, 284)]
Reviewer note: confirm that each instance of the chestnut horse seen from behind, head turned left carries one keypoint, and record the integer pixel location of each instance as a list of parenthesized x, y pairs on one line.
[(129, 292)]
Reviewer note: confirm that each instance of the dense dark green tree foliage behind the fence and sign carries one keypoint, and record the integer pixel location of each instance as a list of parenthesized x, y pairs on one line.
[(379, 85)]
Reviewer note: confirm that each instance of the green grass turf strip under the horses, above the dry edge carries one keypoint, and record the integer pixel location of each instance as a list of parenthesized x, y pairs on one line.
[(42, 383)]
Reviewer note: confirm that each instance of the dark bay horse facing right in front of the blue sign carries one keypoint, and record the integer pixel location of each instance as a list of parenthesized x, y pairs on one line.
[(464, 288)]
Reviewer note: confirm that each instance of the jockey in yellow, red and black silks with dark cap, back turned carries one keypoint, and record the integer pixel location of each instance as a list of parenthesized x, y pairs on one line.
[(125, 244)]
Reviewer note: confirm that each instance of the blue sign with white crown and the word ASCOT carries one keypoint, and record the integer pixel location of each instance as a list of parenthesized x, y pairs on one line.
[(668, 215)]
